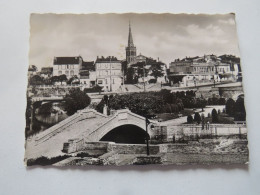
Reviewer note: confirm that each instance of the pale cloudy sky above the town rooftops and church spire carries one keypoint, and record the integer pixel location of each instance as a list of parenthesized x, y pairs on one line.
[(163, 36)]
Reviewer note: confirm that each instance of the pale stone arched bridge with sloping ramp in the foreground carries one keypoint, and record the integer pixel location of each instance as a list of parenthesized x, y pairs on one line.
[(88, 125)]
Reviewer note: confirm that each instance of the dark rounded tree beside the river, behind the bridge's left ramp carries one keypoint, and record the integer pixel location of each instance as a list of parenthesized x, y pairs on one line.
[(75, 100)]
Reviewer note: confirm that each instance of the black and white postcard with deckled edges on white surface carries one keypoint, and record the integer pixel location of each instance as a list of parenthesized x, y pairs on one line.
[(135, 89)]
